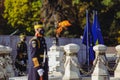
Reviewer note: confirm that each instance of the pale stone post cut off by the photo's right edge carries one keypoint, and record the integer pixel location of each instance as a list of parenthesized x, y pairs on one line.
[(117, 70)]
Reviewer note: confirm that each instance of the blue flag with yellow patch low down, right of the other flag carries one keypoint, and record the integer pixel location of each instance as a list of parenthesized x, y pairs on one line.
[(96, 31)]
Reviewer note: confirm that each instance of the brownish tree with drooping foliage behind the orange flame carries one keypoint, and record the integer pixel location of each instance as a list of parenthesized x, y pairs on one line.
[(55, 11)]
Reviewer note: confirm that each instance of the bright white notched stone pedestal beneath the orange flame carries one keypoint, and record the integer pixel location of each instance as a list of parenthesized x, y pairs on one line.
[(56, 62)]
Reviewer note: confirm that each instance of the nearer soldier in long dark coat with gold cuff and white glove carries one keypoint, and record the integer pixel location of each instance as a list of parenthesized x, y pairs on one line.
[(38, 63)]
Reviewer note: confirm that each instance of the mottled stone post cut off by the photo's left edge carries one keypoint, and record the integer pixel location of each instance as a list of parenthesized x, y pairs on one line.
[(6, 66)]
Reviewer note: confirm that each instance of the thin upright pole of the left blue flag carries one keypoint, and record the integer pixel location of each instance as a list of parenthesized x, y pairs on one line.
[(87, 47)]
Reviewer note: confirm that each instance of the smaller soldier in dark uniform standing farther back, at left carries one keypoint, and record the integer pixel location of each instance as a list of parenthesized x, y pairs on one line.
[(21, 58)]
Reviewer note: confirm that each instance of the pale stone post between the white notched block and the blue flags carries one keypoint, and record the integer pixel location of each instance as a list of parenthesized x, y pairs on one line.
[(71, 70)]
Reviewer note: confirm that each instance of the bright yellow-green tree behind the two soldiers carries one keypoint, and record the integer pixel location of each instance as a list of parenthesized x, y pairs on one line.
[(21, 14)]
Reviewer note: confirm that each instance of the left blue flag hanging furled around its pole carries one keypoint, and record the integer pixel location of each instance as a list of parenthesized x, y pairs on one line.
[(88, 40)]
